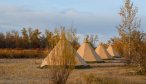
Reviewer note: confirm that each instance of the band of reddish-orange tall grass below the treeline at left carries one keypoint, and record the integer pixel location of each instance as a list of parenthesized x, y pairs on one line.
[(12, 53)]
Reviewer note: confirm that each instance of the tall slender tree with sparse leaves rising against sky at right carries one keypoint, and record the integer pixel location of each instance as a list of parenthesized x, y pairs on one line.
[(129, 24)]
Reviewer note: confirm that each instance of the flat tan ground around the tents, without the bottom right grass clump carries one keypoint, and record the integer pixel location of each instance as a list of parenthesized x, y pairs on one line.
[(26, 71)]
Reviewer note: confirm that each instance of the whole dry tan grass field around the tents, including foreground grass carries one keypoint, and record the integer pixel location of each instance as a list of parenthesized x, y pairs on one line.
[(25, 71)]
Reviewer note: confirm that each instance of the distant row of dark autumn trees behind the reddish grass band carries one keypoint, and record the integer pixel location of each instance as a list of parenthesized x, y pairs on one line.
[(30, 38)]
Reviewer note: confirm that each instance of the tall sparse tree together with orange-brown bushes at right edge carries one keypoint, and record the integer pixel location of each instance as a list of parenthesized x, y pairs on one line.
[(131, 43)]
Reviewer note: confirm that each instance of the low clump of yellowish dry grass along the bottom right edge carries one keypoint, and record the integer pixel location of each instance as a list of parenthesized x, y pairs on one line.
[(104, 79)]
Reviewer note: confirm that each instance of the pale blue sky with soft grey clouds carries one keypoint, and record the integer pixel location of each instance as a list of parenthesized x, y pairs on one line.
[(87, 16)]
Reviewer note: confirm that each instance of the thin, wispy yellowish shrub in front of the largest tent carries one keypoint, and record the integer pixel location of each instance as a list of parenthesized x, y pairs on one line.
[(62, 62)]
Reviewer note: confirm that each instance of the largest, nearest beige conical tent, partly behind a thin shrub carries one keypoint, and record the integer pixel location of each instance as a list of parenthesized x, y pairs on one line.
[(63, 54)]
